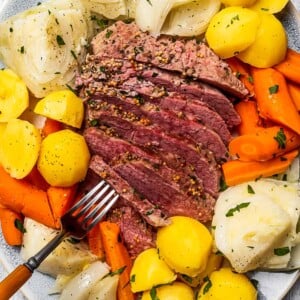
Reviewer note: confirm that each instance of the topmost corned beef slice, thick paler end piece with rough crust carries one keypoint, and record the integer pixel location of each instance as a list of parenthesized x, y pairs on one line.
[(186, 56)]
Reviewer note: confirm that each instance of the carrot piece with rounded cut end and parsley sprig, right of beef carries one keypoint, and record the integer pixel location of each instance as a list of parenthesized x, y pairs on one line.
[(265, 144)]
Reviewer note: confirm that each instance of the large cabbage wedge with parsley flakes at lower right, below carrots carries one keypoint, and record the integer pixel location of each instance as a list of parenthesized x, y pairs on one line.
[(255, 224)]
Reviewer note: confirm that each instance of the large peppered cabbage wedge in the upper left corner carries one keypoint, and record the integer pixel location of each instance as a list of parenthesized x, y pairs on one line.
[(43, 45)]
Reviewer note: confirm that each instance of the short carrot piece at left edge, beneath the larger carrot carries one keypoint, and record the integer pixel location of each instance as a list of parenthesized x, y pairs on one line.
[(11, 225)]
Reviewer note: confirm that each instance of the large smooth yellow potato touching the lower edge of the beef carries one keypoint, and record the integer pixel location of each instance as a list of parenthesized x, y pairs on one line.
[(184, 245)]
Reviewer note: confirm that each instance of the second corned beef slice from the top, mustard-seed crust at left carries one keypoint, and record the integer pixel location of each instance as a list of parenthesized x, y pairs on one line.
[(132, 78)]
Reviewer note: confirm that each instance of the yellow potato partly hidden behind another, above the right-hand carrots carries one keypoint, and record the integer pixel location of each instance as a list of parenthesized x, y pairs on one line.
[(270, 44)]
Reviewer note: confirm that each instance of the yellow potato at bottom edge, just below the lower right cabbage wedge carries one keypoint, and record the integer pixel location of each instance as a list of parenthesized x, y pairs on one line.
[(224, 284)]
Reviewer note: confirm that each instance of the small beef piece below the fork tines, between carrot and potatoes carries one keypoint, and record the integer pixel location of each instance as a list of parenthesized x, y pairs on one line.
[(136, 234)]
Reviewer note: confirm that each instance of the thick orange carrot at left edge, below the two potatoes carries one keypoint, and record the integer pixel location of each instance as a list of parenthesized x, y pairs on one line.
[(23, 197)]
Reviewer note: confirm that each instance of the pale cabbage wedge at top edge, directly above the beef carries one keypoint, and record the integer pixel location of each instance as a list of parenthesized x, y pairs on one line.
[(175, 17)]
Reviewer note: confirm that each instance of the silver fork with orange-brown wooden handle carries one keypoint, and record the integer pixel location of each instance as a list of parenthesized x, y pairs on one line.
[(81, 218)]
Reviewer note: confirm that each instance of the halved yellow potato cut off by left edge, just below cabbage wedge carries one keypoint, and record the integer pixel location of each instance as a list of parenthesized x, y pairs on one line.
[(14, 98)]
